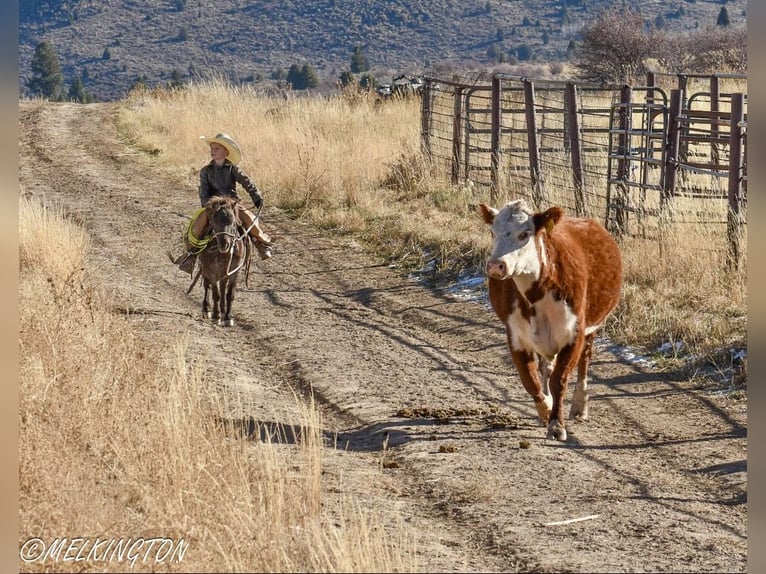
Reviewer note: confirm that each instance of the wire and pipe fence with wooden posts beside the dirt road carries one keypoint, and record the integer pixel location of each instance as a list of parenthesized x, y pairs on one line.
[(643, 159)]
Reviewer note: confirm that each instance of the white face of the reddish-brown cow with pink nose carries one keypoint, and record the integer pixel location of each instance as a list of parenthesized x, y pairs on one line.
[(514, 251)]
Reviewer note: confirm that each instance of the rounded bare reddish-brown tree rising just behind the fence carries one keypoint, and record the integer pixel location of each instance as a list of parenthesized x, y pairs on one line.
[(614, 48)]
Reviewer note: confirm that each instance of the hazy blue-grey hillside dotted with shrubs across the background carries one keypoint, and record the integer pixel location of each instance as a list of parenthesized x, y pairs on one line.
[(111, 43)]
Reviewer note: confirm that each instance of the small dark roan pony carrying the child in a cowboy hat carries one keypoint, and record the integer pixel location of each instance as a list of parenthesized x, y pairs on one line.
[(221, 261)]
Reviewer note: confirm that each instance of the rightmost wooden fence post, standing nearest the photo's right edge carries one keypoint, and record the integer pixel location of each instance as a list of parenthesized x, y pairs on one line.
[(734, 221)]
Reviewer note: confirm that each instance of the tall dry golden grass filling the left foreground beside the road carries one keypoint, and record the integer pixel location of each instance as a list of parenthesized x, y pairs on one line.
[(119, 439)]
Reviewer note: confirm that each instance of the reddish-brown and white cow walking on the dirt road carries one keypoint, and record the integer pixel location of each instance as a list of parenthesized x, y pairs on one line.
[(553, 280)]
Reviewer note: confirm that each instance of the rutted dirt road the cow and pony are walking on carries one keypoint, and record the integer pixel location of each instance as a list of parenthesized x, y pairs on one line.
[(415, 386)]
